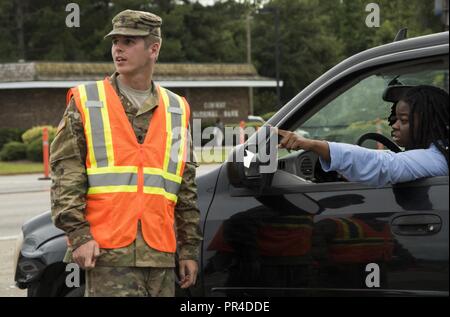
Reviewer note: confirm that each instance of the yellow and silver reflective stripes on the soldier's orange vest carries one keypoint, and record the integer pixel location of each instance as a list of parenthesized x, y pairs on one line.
[(103, 176)]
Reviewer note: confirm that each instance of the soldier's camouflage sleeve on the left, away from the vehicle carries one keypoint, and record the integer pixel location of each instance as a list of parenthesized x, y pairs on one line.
[(69, 178)]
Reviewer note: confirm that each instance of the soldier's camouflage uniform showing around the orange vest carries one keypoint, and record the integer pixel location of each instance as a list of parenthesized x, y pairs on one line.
[(120, 266)]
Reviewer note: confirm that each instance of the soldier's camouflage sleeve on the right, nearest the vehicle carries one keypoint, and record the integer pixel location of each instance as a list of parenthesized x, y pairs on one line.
[(187, 214)]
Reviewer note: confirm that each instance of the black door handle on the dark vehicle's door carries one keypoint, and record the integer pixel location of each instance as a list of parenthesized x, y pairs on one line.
[(416, 225)]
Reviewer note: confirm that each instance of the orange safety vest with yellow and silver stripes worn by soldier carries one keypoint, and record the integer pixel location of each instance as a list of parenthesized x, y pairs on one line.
[(128, 181)]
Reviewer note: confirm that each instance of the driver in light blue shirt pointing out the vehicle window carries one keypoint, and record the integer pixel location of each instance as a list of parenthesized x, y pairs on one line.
[(420, 124)]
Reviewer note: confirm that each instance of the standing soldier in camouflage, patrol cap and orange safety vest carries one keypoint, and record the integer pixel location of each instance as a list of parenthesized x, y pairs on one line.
[(123, 183)]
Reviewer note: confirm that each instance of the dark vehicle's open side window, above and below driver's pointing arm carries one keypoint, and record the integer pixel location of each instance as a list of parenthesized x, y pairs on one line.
[(355, 109)]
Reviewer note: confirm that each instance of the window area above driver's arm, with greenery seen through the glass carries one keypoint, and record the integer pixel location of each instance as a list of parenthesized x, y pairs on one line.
[(360, 109)]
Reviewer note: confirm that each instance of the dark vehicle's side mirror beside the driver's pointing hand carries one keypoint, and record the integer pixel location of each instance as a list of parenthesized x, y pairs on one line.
[(253, 163)]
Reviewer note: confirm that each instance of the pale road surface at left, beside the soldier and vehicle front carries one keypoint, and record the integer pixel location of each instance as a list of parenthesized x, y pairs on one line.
[(21, 198)]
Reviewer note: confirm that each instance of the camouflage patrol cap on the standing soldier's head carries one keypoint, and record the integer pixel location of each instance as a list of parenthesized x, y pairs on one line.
[(136, 23)]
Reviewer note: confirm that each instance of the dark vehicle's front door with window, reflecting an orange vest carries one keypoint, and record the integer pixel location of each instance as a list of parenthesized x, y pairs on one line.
[(314, 233)]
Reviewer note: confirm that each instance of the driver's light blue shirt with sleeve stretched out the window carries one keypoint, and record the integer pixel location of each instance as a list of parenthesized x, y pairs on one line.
[(378, 168)]
